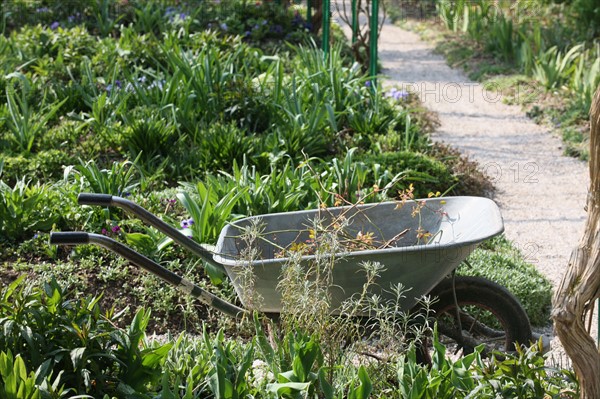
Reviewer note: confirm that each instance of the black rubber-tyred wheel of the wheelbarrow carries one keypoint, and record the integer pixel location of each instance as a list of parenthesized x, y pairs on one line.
[(488, 315)]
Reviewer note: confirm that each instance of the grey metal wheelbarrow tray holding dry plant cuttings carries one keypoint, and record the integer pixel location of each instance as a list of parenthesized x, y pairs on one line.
[(455, 224)]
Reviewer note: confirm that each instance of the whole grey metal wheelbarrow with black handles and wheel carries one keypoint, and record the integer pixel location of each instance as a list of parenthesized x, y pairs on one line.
[(421, 244)]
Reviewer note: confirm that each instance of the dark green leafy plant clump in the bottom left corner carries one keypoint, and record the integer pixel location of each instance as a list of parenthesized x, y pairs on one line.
[(76, 344)]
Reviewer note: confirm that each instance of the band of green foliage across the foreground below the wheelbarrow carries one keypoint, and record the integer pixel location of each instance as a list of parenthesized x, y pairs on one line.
[(72, 346)]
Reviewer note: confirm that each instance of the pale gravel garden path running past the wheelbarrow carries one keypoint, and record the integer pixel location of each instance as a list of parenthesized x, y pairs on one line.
[(541, 193)]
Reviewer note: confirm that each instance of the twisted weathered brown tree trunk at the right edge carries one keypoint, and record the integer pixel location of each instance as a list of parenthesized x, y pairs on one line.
[(580, 285)]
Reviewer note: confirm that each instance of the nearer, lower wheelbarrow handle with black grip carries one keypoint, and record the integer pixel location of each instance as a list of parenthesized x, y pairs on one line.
[(141, 261)]
